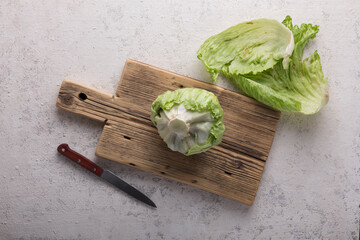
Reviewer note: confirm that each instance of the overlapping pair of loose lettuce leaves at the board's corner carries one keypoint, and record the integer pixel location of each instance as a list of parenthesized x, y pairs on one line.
[(264, 59)]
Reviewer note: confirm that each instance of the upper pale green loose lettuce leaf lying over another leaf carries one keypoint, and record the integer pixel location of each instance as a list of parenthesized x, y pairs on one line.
[(248, 47)]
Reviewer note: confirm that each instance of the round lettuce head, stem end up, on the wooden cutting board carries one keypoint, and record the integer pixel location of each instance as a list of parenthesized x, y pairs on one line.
[(189, 120)]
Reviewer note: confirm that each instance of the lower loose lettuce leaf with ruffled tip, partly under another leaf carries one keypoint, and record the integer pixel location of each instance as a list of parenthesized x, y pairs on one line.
[(299, 88)]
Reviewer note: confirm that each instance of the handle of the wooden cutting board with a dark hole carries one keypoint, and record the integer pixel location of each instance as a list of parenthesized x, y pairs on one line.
[(86, 101)]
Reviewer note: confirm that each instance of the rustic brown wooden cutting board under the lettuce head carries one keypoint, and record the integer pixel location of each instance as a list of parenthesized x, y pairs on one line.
[(232, 169)]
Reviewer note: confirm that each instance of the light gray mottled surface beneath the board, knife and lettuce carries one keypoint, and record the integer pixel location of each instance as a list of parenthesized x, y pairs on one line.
[(310, 187)]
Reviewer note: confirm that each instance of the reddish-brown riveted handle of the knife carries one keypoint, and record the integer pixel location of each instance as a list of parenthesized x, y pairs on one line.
[(65, 150)]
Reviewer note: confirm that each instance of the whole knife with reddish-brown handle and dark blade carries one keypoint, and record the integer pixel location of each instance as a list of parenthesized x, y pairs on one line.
[(108, 176)]
